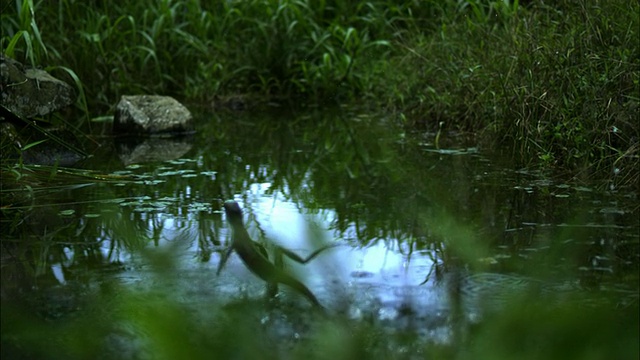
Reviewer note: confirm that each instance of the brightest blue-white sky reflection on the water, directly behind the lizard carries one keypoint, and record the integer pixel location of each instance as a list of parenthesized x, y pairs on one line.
[(377, 273)]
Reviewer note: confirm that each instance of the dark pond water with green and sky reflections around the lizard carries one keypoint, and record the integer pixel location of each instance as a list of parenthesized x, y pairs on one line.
[(442, 249)]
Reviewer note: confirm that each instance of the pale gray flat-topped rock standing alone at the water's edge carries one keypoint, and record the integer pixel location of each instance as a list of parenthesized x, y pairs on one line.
[(151, 115)]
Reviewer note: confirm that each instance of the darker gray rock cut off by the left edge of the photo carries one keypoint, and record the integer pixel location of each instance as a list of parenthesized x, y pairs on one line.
[(31, 92)]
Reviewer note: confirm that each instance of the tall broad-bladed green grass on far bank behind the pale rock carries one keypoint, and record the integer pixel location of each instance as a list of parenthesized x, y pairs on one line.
[(282, 49)]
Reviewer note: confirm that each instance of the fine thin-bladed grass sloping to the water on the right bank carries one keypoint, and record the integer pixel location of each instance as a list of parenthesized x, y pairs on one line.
[(559, 83)]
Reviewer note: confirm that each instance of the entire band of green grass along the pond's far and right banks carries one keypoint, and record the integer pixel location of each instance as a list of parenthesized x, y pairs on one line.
[(560, 83)]
